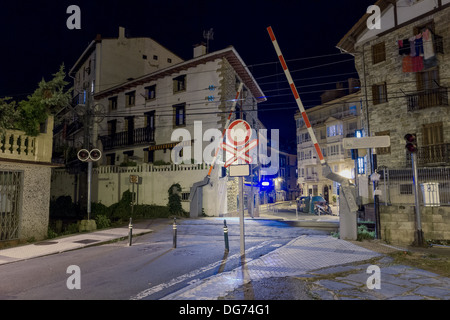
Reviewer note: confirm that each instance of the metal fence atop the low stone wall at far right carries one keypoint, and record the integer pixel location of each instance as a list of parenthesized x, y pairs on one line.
[(396, 186)]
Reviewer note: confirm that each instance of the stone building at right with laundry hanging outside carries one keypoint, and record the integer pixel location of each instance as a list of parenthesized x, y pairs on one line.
[(403, 60)]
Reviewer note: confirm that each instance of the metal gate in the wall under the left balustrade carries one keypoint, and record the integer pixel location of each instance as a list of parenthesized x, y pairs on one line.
[(10, 191)]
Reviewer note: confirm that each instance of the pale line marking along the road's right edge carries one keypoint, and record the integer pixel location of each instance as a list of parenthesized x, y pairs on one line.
[(148, 292)]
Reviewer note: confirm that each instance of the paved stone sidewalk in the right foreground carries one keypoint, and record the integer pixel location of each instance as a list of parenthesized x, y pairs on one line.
[(319, 268)]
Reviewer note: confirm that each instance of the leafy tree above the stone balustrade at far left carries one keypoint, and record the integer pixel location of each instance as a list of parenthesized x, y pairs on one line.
[(28, 114)]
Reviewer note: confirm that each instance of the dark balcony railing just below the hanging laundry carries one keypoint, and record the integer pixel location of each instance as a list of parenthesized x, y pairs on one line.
[(427, 99)]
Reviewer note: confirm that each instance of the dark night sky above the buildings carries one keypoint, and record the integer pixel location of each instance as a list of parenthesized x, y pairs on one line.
[(36, 42)]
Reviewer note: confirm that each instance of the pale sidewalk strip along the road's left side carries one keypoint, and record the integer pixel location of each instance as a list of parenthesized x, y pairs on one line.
[(66, 243)]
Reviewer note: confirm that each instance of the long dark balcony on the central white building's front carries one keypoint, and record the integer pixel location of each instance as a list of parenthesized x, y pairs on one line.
[(128, 138)]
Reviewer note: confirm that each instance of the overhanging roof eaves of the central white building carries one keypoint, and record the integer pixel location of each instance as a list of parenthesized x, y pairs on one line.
[(229, 53)]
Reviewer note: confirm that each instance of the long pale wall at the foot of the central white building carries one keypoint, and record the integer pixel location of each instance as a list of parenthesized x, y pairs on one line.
[(110, 182)]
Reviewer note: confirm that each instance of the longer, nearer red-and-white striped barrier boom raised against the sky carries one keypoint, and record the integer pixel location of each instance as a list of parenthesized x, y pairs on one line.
[(296, 96)]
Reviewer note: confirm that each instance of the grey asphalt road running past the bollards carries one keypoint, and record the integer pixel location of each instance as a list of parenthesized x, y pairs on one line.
[(151, 268)]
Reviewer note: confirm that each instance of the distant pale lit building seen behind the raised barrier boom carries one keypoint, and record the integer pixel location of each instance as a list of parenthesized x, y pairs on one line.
[(332, 121)]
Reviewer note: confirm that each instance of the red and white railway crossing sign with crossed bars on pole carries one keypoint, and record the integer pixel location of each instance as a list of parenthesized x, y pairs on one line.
[(238, 144)]
